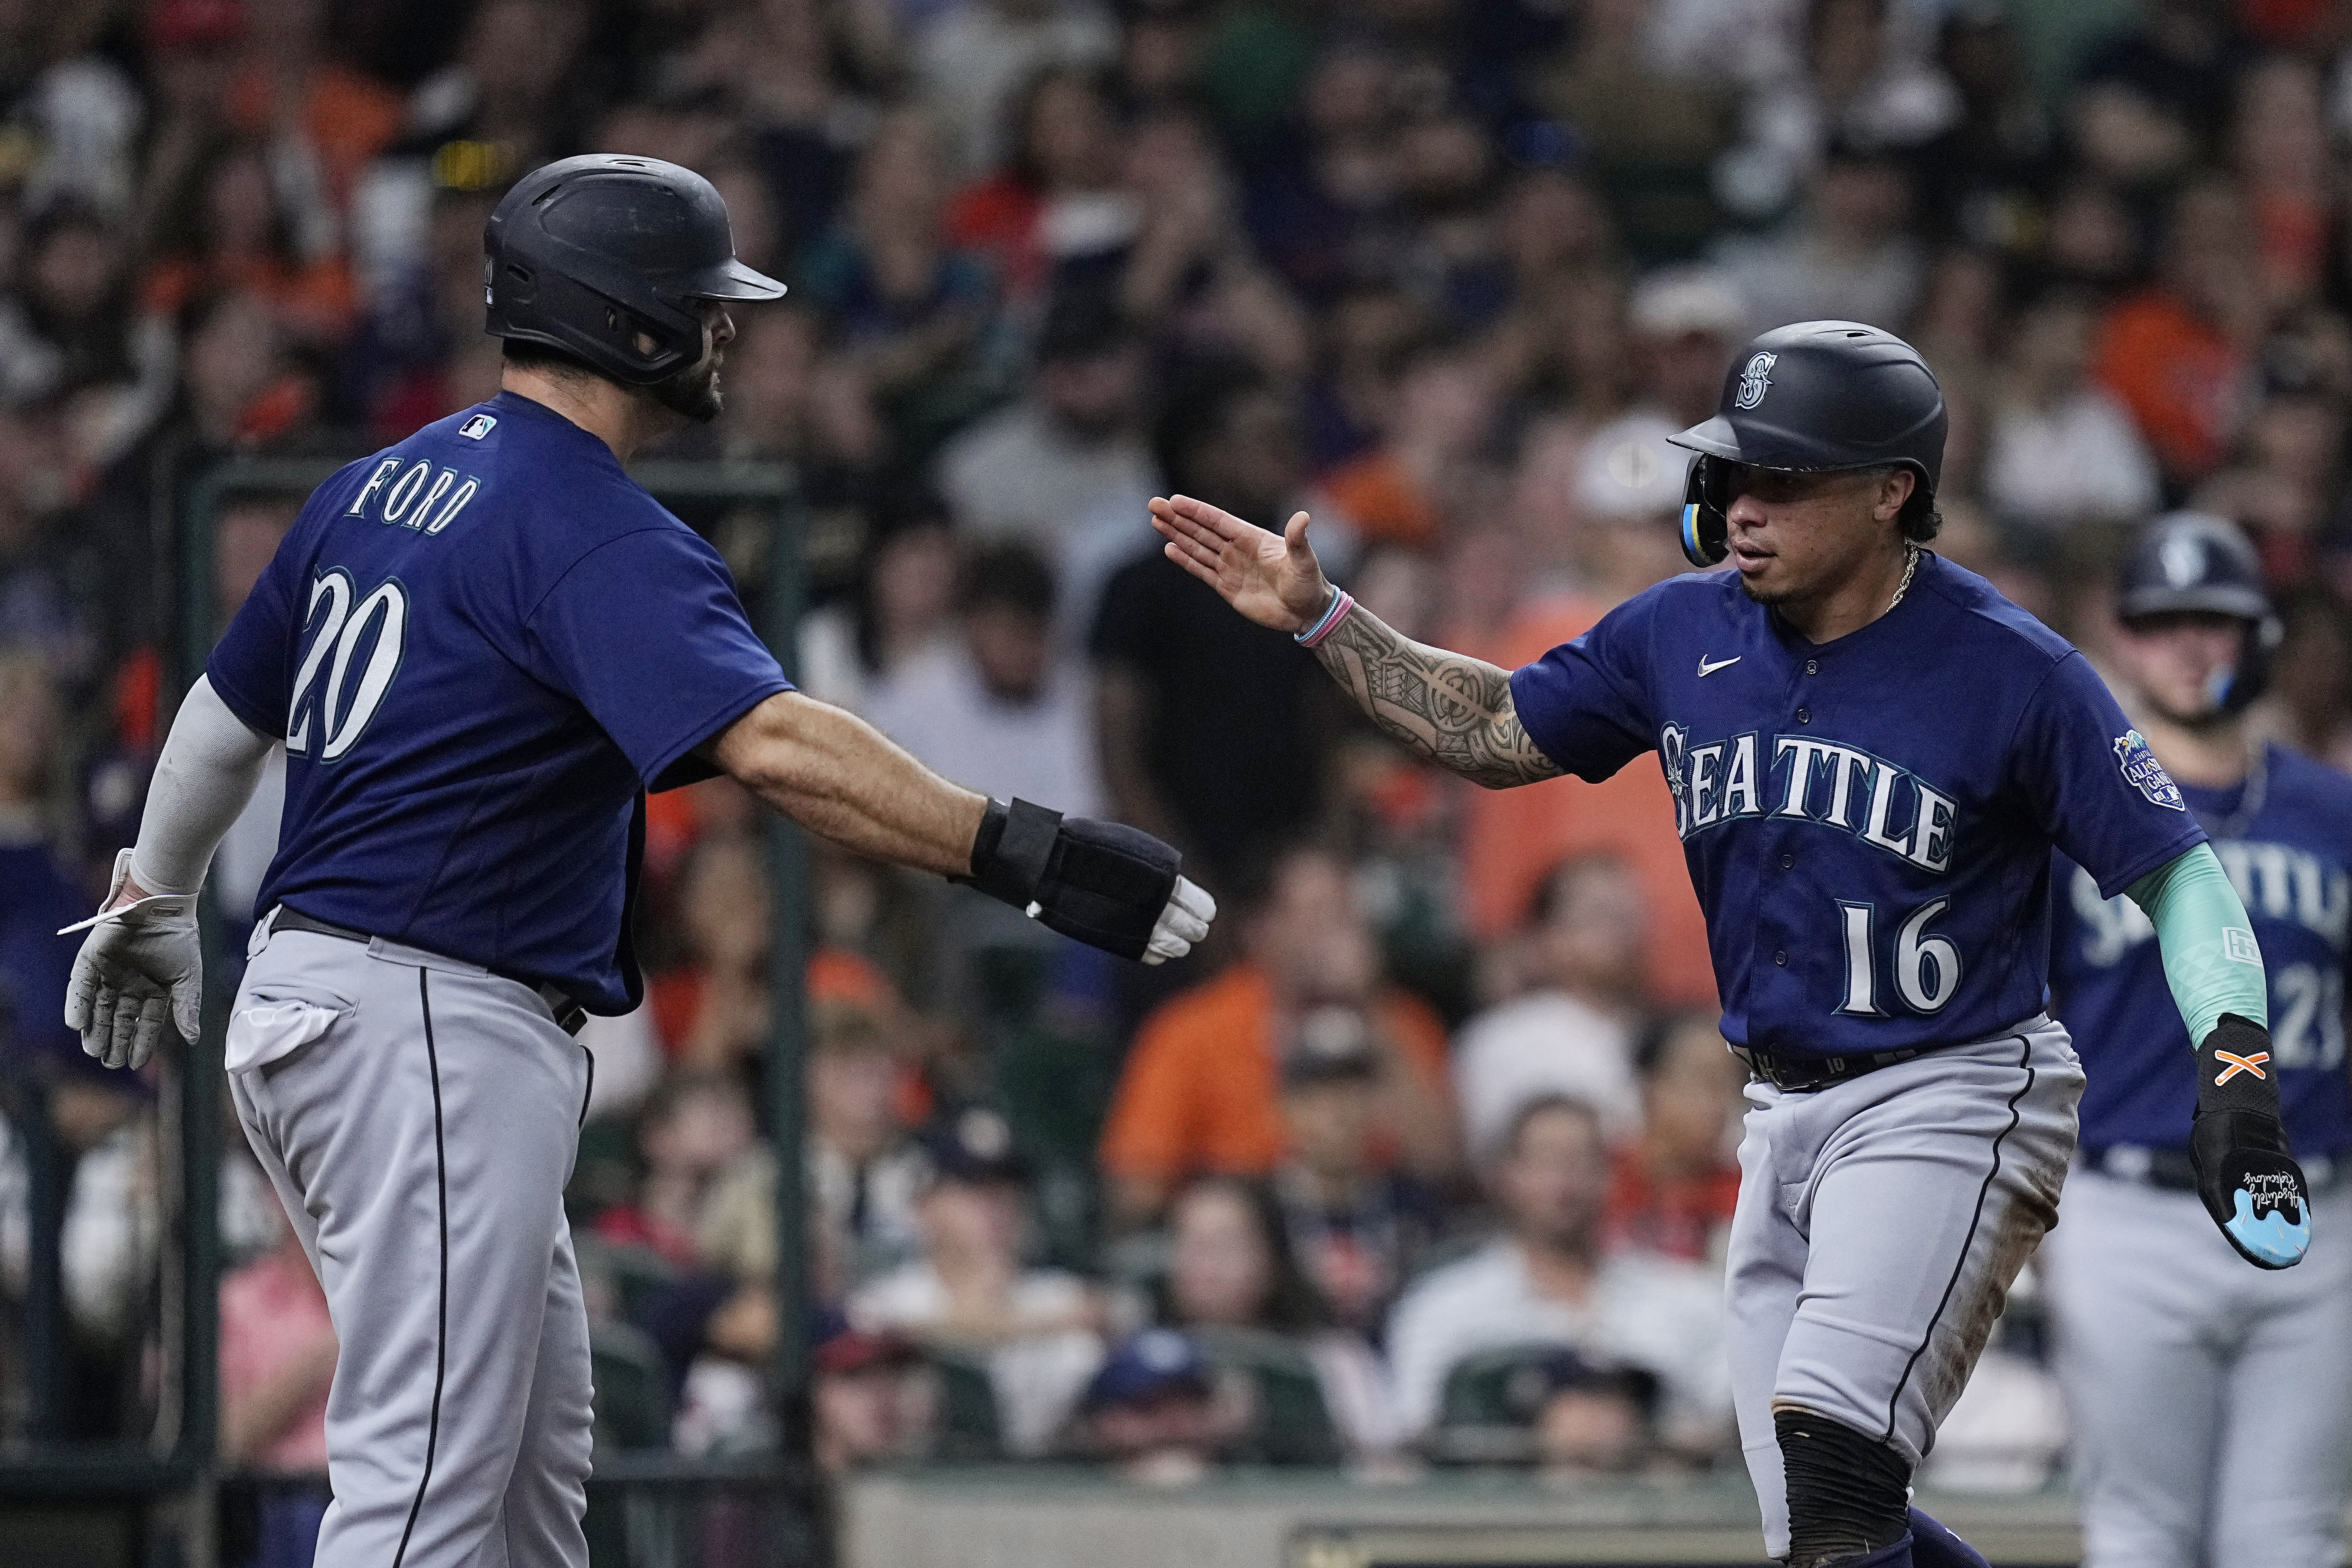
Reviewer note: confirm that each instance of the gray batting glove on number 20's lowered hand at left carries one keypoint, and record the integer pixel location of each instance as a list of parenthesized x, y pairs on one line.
[(138, 970)]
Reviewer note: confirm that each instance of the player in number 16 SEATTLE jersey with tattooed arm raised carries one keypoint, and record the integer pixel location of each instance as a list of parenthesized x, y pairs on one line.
[(1871, 756)]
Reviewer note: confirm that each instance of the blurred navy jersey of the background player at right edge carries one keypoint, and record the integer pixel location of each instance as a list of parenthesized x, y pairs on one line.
[(2292, 864)]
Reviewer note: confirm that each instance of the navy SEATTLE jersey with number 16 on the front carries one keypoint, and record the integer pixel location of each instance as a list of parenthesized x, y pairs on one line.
[(1866, 822)]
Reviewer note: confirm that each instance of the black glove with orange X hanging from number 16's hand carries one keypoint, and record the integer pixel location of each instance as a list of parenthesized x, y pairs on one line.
[(2247, 1177)]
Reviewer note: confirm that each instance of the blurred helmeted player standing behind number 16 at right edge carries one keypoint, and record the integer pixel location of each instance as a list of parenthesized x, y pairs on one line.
[(2212, 1405)]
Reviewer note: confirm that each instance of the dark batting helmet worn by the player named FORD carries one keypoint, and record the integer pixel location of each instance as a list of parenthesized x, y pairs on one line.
[(606, 255)]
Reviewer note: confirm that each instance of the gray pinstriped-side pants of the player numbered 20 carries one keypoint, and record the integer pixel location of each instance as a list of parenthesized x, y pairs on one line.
[(420, 1120)]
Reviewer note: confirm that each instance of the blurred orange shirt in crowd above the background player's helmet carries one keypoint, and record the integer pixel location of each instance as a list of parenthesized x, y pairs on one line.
[(2179, 375)]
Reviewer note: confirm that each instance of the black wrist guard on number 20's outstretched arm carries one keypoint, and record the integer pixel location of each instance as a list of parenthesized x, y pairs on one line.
[(1102, 883)]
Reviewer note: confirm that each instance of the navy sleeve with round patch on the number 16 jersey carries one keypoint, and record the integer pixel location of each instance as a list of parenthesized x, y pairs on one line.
[(2094, 786)]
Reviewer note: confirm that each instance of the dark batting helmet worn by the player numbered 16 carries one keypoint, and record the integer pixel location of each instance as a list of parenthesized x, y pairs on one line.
[(1815, 398)]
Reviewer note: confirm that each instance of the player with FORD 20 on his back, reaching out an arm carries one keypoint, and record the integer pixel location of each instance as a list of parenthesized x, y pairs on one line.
[(481, 650)]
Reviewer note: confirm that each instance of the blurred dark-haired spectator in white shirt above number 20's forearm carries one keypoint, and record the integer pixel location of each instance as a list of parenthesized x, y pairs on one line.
[(996, 706)]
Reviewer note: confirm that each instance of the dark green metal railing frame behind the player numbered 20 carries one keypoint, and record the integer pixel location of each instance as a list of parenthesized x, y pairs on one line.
[(166, 1485)]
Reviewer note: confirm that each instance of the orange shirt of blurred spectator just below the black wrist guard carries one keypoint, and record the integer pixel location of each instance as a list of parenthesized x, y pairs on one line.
[(1203, 1083)]
